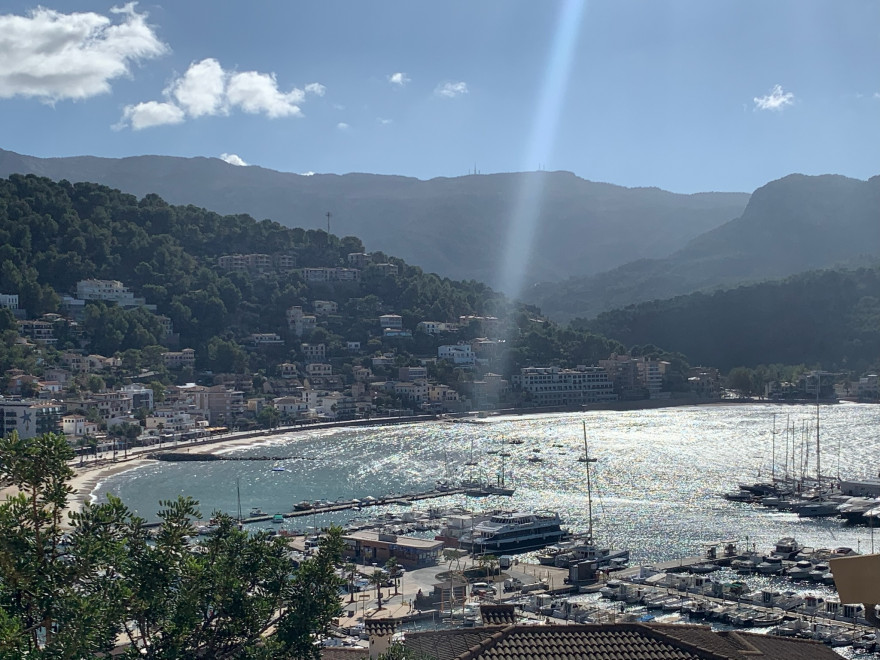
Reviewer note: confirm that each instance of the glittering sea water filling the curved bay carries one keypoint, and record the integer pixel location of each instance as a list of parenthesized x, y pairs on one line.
[(657, 482)]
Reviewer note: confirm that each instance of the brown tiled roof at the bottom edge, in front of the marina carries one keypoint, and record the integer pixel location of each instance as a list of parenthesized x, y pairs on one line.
[(624, 641)]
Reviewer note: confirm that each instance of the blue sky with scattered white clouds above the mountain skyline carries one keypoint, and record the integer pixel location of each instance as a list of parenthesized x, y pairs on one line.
[(687, 96)]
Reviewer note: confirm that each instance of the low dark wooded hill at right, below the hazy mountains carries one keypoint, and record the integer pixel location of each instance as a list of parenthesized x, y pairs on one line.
[(828, 318)]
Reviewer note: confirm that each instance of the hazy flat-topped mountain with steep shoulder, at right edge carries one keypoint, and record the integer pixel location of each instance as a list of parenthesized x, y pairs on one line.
[(791, 225)]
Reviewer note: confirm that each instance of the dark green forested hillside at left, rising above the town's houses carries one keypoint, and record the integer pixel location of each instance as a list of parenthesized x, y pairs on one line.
[(55, 234)]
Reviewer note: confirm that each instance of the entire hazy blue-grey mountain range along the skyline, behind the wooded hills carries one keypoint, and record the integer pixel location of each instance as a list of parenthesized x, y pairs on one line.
[(597, 247)]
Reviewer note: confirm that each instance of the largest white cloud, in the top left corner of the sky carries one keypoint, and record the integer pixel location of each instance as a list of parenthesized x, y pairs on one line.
[(52, 56)]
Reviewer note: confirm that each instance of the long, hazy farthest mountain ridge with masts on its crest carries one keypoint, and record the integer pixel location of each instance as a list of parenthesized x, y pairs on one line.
[(455, 227)]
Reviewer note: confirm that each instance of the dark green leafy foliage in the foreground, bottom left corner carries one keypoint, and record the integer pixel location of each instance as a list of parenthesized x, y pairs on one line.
[(105, 580)]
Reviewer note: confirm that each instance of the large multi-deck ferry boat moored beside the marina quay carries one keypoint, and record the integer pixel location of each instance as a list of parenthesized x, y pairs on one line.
[(515, 531)]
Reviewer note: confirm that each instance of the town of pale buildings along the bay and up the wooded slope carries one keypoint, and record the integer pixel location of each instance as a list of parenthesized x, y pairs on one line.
[(69, 391)]
